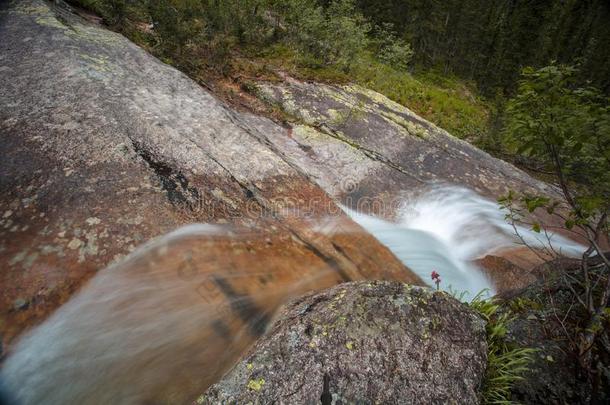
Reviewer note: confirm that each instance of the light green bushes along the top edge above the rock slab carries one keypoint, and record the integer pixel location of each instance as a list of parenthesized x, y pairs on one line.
[(331, 35)]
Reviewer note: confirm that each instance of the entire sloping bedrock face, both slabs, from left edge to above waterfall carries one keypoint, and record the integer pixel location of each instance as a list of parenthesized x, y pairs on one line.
[(105, 147)]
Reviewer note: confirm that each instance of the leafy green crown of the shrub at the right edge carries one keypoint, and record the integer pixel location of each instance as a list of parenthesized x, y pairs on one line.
[(565, 129)]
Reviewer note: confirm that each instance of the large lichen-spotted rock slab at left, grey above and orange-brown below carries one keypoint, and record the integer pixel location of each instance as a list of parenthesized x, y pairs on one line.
[(104, 147)]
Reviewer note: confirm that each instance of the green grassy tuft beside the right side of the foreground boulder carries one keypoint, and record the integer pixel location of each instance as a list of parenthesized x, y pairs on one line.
[(506, 363)]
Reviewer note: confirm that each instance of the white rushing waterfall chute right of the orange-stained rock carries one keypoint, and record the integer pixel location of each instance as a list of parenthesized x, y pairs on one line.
[(446, 228)]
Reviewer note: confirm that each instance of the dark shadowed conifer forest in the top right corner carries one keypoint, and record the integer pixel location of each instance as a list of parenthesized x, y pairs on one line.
[(490, 41)]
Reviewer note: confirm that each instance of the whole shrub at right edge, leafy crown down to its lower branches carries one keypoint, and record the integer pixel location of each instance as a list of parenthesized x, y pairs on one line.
[(567, 130)]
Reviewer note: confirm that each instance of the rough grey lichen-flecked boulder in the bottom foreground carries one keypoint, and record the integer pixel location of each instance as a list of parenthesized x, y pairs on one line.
[(363, 342)]
